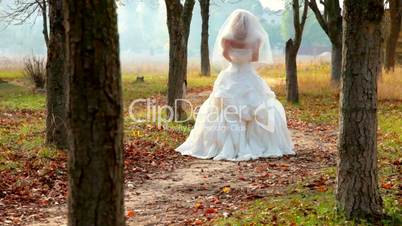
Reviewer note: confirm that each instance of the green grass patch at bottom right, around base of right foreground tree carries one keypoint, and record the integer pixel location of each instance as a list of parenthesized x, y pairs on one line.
[(307, 208)]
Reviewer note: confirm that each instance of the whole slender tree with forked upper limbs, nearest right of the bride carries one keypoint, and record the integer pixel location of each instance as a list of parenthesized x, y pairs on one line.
[(291, 50)]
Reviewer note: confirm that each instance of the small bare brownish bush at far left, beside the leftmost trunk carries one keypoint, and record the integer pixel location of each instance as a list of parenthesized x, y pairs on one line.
[(35, 71)]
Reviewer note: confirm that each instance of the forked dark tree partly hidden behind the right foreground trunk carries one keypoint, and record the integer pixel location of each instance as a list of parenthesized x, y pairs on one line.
[(331, 22)]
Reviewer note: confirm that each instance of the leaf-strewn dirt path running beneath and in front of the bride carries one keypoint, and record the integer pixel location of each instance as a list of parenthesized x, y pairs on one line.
[(204, 189)]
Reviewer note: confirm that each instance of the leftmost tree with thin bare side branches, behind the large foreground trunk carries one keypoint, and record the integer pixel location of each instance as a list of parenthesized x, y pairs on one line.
[(19, 13)]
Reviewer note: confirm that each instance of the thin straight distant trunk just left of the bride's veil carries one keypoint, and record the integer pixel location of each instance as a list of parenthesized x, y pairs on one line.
[(205, 62)]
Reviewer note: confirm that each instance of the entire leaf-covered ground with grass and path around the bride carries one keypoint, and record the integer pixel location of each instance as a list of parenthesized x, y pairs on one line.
[(164, 187)]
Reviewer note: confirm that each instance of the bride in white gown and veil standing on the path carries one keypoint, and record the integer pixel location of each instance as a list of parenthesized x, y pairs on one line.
[(241, 119)]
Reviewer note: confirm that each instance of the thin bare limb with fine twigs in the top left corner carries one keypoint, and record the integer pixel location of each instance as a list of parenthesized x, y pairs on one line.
[(21, 11)]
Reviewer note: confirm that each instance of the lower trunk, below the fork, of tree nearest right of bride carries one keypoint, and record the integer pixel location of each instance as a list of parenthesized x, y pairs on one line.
[(291, 73)]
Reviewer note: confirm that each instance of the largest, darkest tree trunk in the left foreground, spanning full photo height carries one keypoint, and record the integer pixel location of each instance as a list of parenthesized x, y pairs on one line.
[(95, 117)]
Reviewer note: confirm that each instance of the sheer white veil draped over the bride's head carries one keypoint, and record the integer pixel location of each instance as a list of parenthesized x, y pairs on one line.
[(244, 27)]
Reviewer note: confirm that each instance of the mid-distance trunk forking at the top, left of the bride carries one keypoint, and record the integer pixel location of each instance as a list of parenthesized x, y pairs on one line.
[(178, 22)]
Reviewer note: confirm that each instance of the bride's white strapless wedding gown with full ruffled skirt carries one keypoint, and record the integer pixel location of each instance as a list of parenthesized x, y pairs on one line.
[(241, 119)]
